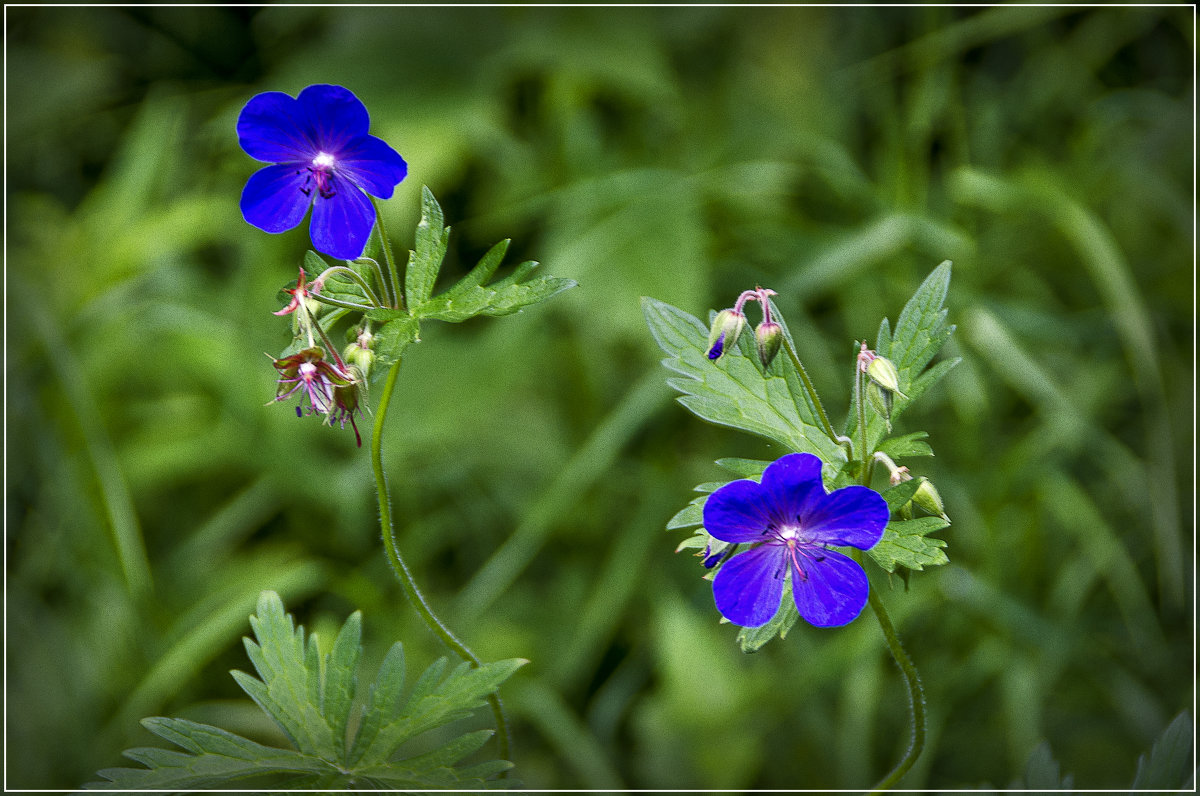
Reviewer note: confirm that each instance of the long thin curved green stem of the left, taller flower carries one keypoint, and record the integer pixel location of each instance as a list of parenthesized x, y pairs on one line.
[(401, 570)]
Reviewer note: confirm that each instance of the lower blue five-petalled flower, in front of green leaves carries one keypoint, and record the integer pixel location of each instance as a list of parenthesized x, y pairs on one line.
[(793, 522)]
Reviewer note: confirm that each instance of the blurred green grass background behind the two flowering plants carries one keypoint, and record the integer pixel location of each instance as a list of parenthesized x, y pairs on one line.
[(833, 154)]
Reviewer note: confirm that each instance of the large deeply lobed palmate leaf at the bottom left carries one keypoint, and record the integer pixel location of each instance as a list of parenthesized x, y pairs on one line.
[(313, 698)]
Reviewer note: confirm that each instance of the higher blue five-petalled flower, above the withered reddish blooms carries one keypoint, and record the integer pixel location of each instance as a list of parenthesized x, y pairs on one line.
[(323, 158)]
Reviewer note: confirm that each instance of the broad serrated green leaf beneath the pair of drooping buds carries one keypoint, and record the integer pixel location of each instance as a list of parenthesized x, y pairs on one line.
[(734, 391)]
